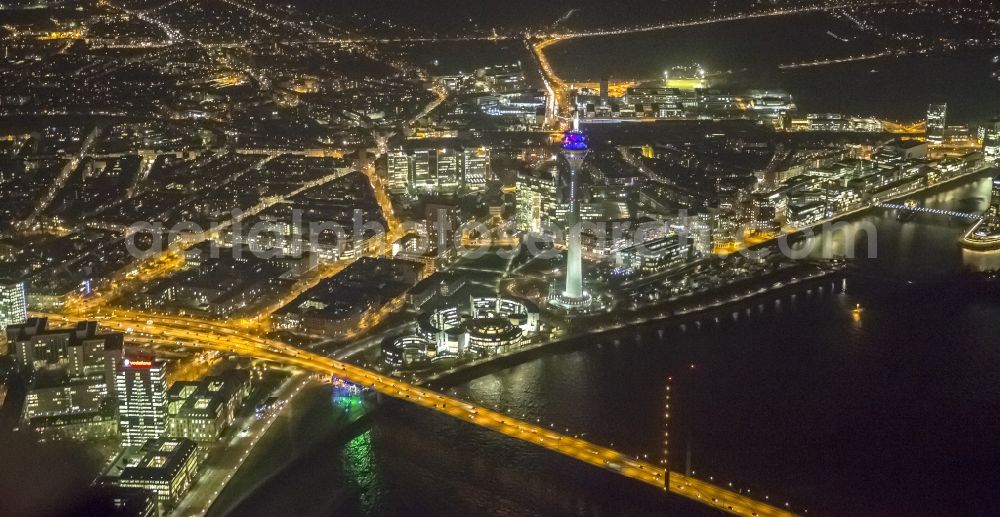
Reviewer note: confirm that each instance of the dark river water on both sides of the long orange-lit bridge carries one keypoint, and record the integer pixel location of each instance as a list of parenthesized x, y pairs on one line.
[(890, 412)]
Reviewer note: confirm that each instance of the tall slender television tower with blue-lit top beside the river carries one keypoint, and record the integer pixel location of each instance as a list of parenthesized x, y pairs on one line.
[(574, 150)]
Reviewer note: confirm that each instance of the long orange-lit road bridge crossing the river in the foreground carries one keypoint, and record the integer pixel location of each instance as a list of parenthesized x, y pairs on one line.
[(220, 337)]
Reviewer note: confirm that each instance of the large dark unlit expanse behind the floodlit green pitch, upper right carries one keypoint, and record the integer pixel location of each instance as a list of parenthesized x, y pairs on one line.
[(747, 55)]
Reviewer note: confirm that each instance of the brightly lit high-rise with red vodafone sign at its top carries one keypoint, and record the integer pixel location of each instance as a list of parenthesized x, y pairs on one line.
[(141, 384)]
